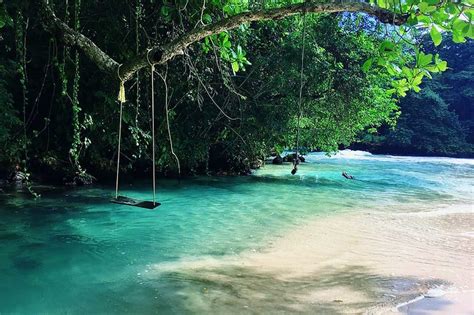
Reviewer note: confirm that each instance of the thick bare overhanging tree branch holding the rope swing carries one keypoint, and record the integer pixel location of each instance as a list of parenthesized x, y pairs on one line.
[(160, 54)]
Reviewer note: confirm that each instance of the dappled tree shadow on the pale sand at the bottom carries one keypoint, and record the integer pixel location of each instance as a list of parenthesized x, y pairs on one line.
[(232, 289)]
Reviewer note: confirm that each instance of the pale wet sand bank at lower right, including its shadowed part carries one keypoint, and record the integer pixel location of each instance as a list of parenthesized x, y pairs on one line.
[(365, 261)]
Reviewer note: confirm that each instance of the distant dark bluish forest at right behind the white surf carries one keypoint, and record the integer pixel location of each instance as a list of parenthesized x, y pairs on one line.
[(440, 119)]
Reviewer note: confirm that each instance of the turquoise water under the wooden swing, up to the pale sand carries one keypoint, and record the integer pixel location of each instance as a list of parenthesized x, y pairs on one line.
[(73, 252)]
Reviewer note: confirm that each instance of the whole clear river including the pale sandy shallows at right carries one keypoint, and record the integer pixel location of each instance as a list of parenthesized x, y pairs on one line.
[(270, 242)]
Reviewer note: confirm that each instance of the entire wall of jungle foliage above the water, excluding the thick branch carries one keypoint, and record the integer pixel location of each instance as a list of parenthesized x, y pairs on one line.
[(230, 99)]
